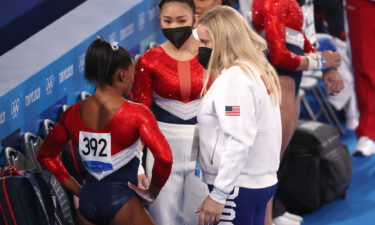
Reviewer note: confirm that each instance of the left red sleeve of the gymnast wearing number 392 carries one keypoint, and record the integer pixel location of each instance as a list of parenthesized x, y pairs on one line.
[(49, 154)]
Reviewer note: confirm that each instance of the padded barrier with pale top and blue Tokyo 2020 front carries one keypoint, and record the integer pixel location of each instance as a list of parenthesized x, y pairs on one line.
[(29, 95)]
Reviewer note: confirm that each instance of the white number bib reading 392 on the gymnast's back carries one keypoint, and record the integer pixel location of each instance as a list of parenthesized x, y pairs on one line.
[(95, 151)]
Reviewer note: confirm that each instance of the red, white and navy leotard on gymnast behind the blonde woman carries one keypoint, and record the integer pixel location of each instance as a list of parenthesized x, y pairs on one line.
[(281, 21)]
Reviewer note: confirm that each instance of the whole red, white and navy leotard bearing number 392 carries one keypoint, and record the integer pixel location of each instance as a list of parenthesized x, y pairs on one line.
[(122, 133)]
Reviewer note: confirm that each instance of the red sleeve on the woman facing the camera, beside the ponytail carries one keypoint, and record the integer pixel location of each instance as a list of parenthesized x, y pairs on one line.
[(142, 86)]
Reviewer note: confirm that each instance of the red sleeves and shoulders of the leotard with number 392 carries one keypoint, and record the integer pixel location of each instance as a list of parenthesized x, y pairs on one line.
[(131, 122)]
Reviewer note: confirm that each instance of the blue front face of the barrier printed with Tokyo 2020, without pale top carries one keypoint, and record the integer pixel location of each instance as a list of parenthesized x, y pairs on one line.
[(39, 97)]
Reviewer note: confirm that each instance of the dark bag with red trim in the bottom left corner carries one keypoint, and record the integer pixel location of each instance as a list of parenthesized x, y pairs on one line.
[(34, 197)]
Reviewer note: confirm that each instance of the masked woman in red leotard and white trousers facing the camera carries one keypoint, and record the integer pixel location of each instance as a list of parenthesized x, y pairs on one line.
[(169, 80)]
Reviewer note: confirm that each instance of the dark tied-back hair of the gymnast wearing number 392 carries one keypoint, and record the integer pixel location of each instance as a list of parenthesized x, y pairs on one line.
[(102, 61)]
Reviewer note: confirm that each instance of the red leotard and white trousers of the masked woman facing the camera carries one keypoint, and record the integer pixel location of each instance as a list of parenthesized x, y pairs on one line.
[(172, 88)]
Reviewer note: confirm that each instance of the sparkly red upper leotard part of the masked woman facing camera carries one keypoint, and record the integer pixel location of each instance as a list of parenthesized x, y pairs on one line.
[(159, 72)]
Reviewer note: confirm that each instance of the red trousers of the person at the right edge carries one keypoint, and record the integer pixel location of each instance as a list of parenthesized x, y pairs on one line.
[(361, 16)]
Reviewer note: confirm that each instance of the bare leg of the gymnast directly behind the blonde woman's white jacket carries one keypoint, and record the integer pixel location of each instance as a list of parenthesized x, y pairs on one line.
[(289, 108)]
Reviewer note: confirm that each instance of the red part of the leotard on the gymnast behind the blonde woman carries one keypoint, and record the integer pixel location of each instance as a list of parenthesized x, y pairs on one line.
[(272, 17)]
